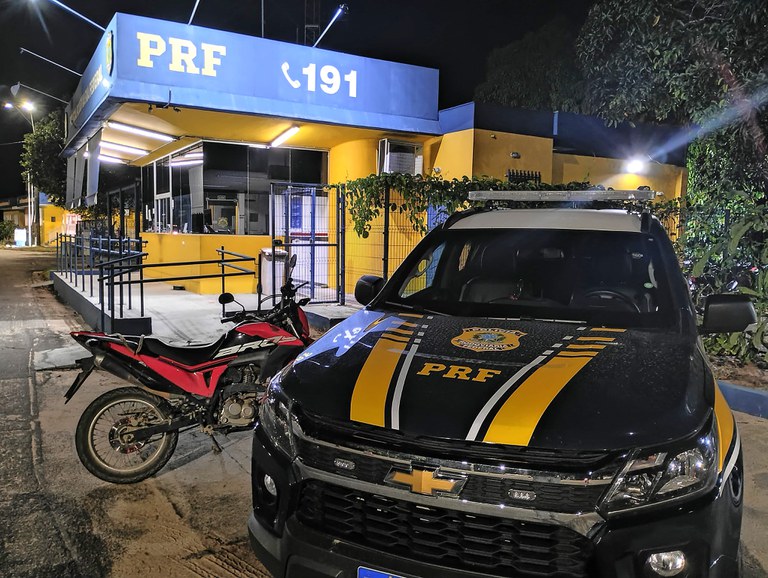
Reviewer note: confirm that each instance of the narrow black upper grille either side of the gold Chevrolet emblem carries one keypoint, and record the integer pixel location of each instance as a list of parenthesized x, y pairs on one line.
[(550, 497)]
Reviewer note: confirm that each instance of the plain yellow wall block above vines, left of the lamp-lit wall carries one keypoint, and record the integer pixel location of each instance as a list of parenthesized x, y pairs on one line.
[(493, 150)]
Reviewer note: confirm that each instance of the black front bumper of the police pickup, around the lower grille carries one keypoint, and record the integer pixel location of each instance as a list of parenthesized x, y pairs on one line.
[(707, 531)]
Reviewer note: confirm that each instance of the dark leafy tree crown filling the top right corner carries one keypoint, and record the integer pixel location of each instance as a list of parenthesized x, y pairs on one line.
[(674, 60)]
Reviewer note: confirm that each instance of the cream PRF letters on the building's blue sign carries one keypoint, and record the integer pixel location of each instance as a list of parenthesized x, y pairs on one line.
[(183, 54)]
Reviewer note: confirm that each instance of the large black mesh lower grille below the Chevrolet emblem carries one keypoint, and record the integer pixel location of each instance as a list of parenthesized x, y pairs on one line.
[(445, 537)]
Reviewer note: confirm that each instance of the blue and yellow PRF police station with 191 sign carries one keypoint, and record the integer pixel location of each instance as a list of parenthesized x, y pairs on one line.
[(217, 122)]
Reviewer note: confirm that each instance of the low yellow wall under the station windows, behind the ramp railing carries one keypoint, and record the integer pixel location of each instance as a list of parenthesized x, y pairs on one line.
[(166, 248)]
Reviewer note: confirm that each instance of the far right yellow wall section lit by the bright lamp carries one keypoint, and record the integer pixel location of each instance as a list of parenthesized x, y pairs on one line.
[(668, 179)]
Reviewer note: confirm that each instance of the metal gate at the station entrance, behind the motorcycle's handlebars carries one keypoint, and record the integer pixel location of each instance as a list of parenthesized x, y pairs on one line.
[(307, 220)]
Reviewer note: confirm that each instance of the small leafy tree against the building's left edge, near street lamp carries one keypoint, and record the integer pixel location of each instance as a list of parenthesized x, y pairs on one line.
[(41, 158)]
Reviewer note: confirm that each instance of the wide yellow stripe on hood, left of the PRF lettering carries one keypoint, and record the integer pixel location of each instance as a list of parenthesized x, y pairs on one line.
[(369, 398)]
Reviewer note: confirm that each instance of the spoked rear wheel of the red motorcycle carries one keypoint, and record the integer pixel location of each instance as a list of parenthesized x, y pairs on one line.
[(106, 445)]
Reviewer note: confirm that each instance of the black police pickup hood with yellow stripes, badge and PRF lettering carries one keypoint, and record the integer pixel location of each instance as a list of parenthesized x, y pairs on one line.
[(542, 384)]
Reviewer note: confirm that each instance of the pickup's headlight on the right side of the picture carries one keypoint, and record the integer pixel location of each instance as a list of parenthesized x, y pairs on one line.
[(651, 478)]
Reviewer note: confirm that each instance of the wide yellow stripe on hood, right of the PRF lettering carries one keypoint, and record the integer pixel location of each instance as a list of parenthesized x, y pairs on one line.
[(517, 419)]
